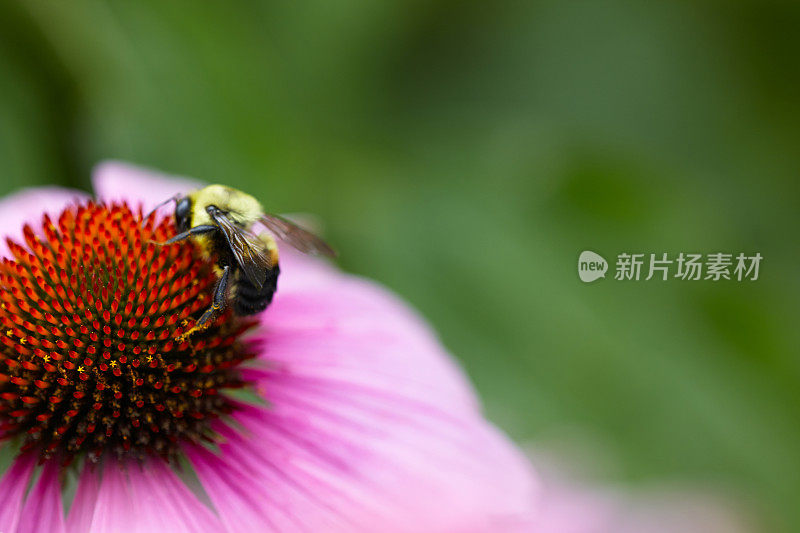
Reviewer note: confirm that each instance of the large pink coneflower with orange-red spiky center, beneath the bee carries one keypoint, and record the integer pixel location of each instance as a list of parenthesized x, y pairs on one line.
[(334, 410)]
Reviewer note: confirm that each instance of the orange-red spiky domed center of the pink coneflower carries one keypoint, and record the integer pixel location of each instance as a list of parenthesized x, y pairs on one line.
[(89, 362)]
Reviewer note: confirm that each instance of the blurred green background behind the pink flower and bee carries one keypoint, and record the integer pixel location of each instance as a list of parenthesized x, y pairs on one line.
[(464, 154)]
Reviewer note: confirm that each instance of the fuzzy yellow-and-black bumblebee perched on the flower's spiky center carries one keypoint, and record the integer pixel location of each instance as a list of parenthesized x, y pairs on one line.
[(220, 220)]
